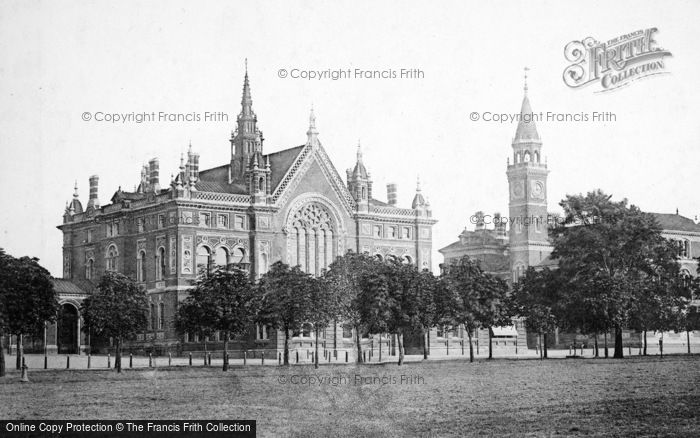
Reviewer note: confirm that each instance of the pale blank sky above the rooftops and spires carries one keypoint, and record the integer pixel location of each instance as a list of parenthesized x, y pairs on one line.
[(60, 60)]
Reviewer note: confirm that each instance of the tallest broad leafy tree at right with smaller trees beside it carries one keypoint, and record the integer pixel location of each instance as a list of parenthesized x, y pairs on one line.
[(615, 271)]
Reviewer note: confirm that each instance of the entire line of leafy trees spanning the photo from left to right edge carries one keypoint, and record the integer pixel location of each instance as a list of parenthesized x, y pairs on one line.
[(615, 271)]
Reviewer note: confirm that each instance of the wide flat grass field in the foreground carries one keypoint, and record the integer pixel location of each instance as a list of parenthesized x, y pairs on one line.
[(631, 397)]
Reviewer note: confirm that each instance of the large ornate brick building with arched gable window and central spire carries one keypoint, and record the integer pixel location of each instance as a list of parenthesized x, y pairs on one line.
[(289, 205)]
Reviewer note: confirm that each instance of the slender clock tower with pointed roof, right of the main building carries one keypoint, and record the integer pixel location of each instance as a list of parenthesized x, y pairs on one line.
[(527, 181)]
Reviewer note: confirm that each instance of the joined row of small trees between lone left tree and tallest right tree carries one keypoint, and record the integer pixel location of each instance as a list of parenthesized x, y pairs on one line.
[(372, 296)]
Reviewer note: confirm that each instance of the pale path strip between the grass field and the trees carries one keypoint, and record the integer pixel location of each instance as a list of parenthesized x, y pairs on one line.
[(36, 362)]
